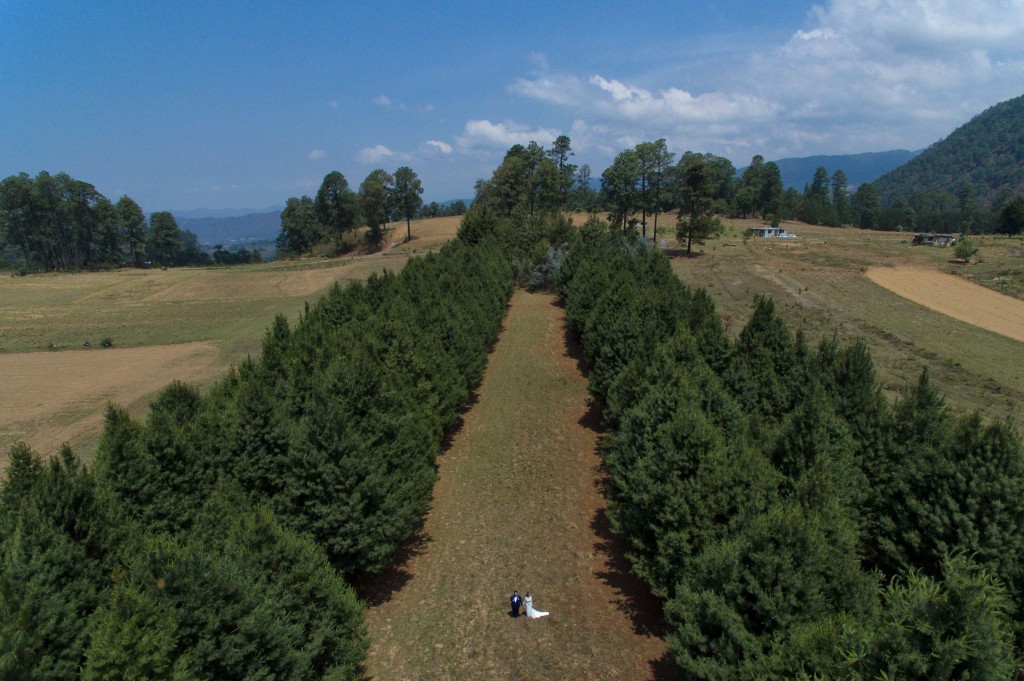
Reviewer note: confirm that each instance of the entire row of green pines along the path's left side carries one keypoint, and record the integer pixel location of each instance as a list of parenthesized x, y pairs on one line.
[(218, 538)]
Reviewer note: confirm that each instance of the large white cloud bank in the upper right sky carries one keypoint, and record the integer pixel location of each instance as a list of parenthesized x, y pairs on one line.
[(860, 75)]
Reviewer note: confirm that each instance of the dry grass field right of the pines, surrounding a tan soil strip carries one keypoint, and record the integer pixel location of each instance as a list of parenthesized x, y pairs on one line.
[(820, 283)]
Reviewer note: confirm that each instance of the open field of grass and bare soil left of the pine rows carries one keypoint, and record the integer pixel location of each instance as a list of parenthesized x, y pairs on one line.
[(186, 324)]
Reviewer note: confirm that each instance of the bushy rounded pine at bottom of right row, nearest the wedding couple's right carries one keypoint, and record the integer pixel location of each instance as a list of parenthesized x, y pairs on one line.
[(767, 603)]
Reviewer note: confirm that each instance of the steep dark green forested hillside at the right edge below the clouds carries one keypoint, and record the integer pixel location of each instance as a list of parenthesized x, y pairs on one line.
[(980, 163)]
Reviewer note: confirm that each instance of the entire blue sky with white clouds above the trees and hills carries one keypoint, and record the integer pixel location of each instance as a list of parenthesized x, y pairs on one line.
[(242, 105)]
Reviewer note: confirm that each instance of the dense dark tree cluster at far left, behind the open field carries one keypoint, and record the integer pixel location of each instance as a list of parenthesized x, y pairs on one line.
[(58, 223)]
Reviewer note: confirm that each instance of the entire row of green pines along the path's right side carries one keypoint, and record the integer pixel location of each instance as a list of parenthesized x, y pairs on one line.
[(796, 523)]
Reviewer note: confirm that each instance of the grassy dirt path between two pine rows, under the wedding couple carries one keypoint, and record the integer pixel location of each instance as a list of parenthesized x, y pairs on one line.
[(518, 506)]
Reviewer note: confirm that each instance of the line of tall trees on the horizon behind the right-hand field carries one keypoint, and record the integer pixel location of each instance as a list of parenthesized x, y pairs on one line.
[(648, 181)]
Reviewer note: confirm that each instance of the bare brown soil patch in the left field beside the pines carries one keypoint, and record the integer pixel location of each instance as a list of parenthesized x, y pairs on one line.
[(56, 398)]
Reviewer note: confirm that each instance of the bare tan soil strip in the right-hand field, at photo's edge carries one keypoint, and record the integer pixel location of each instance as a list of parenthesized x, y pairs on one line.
[(955, 297)]
